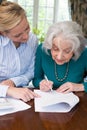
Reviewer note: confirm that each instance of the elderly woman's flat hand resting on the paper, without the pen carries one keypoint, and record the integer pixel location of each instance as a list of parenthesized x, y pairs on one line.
[(70, 87)]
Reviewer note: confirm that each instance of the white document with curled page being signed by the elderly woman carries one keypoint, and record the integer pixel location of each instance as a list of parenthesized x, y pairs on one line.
[(53, 101)]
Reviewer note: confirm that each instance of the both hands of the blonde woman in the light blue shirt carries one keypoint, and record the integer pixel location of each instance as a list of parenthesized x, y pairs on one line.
[(19, 93)]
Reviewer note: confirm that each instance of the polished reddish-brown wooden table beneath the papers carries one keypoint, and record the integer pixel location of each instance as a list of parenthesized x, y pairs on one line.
[(76, 119)]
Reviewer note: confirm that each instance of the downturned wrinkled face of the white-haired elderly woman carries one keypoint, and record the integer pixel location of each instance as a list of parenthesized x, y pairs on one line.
[(61, 50)]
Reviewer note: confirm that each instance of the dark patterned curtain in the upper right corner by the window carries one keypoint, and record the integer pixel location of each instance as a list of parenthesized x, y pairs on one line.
[(79, 13)]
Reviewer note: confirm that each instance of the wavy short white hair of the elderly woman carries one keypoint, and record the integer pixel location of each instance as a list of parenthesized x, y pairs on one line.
[(71, 31)]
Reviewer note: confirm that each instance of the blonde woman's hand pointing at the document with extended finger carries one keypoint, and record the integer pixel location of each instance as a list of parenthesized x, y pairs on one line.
[(24, 94)]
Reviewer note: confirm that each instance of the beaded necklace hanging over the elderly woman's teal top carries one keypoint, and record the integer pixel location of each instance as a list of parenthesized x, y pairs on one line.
[(66, 73)]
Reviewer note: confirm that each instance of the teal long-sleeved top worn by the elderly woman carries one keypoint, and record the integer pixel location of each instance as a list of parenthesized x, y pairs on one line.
[(45, 65)]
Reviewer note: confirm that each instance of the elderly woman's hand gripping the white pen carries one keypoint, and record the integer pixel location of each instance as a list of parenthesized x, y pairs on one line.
[(45, 85)]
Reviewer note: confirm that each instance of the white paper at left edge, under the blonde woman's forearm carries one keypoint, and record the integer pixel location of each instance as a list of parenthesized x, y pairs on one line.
[(11, 105)]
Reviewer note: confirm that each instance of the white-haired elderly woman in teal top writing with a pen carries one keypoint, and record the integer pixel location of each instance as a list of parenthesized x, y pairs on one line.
[(62, 59)]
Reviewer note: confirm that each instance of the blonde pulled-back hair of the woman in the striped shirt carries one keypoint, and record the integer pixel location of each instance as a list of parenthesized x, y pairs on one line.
[(11, 15)]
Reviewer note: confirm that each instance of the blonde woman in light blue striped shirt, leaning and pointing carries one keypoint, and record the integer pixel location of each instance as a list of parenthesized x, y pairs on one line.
[(17, 52)]
